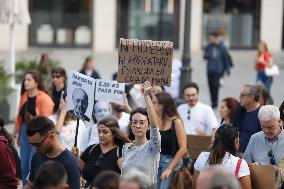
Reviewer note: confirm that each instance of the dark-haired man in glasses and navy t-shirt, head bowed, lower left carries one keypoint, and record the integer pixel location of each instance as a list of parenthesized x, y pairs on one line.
[(42, 136)]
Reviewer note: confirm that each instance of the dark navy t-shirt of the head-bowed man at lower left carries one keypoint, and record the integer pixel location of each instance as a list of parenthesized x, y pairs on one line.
[(67, 159)]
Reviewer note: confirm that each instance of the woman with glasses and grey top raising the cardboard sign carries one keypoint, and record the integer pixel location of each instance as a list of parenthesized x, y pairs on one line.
[(141, 148)]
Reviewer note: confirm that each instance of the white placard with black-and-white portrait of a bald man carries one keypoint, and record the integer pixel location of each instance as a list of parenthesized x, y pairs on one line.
[(80, 95)]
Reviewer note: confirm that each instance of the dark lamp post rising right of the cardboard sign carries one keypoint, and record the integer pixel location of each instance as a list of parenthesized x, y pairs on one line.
[(185, 76)]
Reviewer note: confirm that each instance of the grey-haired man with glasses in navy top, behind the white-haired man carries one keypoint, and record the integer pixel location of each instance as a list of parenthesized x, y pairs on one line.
[(245, 117)]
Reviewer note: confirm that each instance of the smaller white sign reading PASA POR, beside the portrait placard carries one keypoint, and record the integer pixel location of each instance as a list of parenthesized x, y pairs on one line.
[(109, 91)]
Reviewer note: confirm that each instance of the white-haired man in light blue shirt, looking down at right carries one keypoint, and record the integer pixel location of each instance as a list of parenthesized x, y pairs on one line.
[(266, 146)]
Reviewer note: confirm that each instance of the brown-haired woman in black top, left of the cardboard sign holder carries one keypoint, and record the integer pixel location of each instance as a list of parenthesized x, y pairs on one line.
[(104, 156)]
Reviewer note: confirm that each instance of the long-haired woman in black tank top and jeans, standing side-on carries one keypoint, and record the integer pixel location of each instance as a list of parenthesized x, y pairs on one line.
[(173, 137)]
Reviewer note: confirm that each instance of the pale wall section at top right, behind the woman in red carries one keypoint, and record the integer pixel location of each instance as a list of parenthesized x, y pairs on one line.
[(271, 23)]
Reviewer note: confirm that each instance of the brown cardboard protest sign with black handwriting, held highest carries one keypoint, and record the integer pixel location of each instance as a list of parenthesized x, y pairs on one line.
[(145, 60)]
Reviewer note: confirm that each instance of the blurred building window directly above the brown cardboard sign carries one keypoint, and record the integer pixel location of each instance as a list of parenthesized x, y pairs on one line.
[(148, 19)]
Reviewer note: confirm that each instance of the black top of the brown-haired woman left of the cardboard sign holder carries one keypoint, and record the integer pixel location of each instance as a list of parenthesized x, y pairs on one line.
[(96, 162)]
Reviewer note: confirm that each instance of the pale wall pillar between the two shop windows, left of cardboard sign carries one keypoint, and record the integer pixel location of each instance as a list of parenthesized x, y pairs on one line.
[(104, 25)]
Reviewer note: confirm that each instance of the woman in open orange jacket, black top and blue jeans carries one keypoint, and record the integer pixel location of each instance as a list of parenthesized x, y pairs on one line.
[(34, 102)]
